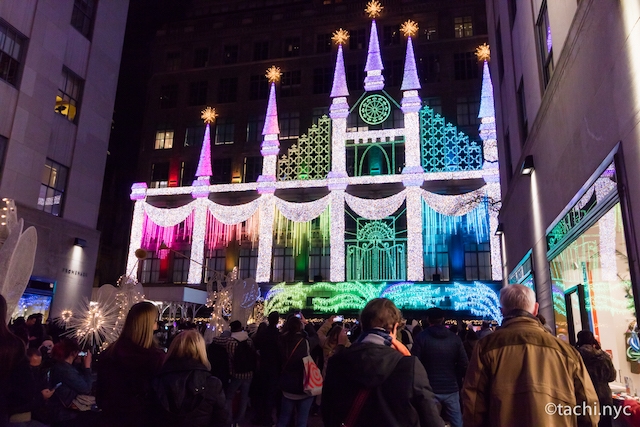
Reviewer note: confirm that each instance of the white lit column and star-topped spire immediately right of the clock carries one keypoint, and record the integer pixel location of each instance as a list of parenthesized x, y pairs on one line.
[(412, 172)]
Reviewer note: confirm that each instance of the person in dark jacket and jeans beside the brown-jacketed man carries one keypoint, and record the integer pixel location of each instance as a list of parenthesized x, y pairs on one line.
[(443, 356)]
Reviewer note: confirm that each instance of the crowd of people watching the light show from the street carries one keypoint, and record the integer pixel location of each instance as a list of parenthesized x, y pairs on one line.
[(380, 371)]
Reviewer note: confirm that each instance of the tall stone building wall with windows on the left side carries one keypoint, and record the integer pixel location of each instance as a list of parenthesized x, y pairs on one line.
[(57, 111)]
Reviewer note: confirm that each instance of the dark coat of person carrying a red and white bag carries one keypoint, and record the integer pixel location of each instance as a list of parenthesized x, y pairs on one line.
[(292, 374)]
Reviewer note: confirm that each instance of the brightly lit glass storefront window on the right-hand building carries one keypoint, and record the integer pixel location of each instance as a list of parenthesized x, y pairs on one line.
[(591, 287)]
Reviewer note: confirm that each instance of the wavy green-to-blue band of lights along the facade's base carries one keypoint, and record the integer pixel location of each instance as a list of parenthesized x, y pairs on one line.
[(477, 298)]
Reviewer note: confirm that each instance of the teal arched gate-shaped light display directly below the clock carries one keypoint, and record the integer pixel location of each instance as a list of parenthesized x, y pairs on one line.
[(377, 254)]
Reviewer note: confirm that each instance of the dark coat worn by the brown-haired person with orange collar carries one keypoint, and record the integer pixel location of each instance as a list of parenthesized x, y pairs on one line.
[(400, 394)]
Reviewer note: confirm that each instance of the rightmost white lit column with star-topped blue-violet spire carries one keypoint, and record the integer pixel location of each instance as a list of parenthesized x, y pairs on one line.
[(490, 167)]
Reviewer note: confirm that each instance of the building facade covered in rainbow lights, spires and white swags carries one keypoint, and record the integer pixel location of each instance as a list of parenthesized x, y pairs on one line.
[(381, 195)]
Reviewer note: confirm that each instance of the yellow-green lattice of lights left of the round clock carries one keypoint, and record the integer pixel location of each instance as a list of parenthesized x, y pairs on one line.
[(311, 157)]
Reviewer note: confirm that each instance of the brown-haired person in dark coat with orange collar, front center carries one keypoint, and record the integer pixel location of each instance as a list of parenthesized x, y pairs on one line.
[(376, 376)]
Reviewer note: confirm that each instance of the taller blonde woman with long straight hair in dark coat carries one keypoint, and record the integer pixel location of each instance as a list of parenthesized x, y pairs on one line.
[(125, 369)]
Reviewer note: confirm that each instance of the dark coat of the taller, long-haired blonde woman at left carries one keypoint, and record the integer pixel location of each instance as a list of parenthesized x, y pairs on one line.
[(124, 377)]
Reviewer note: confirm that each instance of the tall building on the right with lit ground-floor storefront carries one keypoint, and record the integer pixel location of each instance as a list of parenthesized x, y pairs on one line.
[(566, 83)]
